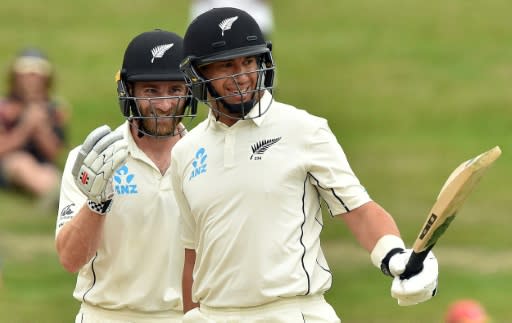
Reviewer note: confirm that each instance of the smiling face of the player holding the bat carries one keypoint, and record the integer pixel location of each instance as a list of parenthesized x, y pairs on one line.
[(235, 80)]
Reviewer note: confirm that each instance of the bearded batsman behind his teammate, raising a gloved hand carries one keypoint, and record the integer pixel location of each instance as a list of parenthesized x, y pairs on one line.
[(118, 222)]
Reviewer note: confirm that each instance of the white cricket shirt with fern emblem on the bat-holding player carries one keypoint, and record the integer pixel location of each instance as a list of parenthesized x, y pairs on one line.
[(250, 201)]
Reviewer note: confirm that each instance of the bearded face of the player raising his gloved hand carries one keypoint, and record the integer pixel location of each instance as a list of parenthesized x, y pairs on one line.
[(159, 102)]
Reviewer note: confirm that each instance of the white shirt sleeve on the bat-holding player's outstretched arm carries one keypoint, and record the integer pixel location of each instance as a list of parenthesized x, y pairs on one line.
[(331, 172)]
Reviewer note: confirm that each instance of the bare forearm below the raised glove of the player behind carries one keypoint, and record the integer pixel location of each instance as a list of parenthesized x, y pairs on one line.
[(79, 239)]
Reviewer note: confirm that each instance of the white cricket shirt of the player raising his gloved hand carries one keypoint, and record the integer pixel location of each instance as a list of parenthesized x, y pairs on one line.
[(139, 263)]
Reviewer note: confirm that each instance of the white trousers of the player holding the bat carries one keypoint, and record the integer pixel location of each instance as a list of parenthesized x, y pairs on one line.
[(299, 309)]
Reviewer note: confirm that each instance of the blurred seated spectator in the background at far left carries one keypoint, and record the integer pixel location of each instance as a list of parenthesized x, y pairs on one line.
[(31, 127)]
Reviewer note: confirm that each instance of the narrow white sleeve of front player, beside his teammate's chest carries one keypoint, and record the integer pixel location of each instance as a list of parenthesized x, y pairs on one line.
[(187, 220)]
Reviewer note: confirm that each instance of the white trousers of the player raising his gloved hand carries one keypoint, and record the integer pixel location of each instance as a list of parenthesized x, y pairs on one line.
[(93, 314)]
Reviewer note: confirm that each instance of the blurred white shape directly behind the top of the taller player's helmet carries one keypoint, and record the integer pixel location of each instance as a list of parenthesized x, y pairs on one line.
[(260, 10)]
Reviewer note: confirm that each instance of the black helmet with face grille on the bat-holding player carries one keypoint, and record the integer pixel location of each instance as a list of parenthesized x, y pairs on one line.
[(221, 34)]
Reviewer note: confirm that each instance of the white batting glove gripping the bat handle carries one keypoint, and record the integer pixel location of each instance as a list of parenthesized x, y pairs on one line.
[(418, 288)]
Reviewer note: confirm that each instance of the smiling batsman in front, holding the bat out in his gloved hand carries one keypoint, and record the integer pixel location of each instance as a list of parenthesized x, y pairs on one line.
[(250, 180)]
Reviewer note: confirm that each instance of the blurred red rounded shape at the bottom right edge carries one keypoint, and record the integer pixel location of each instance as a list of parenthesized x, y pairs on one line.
[(466, 311)]
